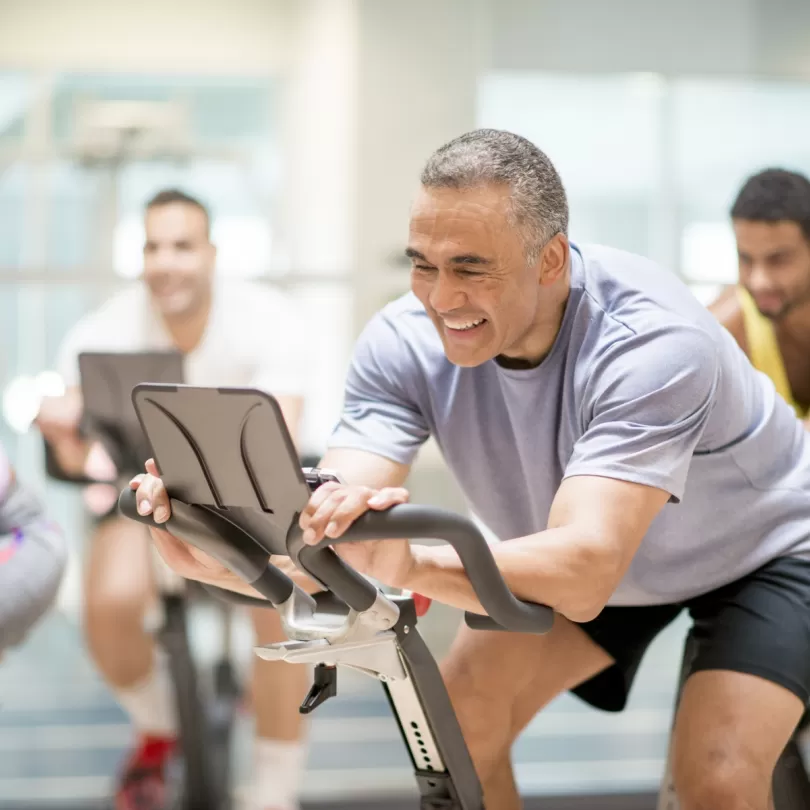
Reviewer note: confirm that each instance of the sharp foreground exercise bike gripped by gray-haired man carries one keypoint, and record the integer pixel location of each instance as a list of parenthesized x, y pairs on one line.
[(236, 491)]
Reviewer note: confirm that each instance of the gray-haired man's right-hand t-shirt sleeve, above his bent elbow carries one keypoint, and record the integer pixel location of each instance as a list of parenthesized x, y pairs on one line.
[(647, 401)]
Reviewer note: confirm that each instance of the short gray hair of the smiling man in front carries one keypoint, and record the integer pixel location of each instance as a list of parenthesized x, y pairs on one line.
[(490, 156)]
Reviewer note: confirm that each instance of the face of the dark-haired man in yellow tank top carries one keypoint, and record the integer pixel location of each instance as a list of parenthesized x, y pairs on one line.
[(774, 262)]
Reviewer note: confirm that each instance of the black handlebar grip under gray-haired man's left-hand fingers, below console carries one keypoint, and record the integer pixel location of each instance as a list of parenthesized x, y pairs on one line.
[(216, 536)]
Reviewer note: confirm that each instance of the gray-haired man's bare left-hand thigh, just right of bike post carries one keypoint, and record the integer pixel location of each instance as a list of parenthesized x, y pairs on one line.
[(498, 681)]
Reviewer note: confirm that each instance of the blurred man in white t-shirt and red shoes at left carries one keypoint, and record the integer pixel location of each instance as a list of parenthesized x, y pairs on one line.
[(231, 335)]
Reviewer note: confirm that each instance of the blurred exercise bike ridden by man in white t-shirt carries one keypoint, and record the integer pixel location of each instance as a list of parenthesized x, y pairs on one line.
[(206, 700)]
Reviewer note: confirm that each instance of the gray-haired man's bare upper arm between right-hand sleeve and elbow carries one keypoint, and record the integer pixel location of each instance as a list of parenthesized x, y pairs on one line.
[(615, 513)]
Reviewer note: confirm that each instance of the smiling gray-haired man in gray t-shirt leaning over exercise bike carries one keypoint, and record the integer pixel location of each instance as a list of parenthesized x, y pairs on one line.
[(606, 427)]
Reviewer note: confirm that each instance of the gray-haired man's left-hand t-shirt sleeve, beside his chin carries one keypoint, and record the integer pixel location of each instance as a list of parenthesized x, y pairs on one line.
[(380, 410)]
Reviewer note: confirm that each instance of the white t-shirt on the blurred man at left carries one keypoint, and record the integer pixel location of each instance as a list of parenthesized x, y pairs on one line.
[(248, 341)]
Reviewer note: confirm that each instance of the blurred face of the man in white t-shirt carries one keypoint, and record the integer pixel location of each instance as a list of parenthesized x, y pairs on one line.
[(178, 258)]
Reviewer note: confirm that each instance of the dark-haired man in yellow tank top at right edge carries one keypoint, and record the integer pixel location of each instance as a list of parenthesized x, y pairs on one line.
[(768, 312)]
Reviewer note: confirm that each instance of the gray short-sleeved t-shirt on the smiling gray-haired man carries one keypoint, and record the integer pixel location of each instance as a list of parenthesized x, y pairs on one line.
[(642, 384)]
